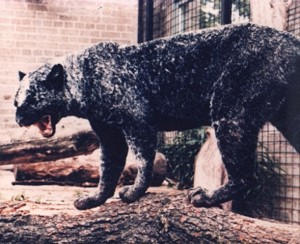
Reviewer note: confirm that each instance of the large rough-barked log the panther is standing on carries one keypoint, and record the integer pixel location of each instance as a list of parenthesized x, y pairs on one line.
[(155, 218)]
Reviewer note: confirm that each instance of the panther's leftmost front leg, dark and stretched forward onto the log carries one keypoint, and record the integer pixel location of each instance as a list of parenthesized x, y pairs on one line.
[(113, 157)]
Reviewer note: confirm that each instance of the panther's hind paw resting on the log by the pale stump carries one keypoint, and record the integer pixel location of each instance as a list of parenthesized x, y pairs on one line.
[(199, 198)]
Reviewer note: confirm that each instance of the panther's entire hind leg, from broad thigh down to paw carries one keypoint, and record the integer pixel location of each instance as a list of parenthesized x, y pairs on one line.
[(243, 98)]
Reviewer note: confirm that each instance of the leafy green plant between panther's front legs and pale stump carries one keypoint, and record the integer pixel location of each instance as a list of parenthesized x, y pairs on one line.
[(181, 156)]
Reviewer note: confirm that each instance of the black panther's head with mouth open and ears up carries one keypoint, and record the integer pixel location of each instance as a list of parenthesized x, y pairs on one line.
[(40, 98)]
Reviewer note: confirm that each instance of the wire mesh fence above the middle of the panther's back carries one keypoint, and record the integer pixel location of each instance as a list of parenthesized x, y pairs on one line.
[(170, 17)]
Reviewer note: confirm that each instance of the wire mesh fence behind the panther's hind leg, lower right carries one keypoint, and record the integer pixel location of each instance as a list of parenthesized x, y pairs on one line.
[(287, 196)]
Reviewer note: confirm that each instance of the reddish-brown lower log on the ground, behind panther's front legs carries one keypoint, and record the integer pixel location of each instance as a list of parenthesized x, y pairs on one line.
[(82, 173)]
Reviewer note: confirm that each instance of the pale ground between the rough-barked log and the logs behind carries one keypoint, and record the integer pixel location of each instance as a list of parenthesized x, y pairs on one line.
[(45, 199)]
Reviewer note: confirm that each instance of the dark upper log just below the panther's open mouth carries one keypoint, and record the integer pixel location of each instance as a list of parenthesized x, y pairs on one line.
[(44, 150)]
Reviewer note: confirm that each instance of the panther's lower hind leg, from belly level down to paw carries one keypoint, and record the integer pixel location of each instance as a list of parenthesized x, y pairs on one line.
[(237, 144)]
